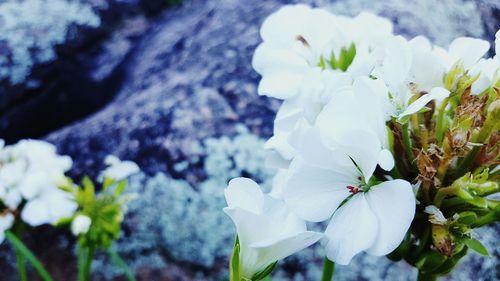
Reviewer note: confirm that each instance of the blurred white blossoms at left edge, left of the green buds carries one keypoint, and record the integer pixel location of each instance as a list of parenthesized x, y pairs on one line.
[(30, 175)]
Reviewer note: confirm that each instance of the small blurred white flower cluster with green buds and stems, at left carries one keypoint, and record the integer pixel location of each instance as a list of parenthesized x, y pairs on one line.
[(35, 191)]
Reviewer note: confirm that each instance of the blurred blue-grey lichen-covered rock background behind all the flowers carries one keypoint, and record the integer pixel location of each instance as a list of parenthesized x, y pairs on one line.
[(170, 86)]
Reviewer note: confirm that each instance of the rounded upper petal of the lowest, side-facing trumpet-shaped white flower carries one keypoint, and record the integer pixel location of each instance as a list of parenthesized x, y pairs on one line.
[(245, 194)]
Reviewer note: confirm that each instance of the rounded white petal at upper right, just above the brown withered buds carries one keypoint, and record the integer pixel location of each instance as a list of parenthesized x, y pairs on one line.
[(468, 50)]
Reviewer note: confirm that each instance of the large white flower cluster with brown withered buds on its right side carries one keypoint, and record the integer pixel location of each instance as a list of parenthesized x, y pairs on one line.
[(392, 141)]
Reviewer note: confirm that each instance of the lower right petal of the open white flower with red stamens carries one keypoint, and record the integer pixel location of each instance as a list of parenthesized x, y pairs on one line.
[(393, 203)]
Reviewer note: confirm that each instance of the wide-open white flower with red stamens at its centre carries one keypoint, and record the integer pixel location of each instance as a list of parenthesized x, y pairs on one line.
[(374, 218)]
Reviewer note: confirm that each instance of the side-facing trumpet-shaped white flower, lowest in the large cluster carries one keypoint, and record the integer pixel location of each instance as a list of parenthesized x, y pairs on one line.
[(267, 230)]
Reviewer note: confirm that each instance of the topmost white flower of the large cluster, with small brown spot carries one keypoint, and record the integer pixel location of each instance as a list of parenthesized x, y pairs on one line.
[(294, 43)]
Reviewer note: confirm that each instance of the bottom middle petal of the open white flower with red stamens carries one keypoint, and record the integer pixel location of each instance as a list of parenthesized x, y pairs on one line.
[(353, 229)]
